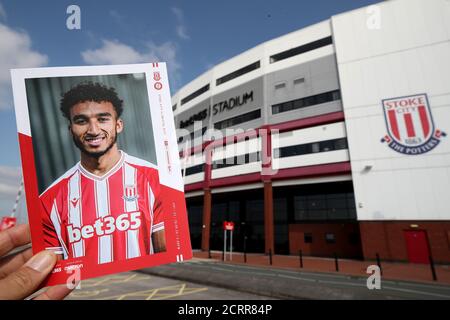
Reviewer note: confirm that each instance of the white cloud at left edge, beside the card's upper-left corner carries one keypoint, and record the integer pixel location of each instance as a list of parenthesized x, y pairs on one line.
[(15, 52)]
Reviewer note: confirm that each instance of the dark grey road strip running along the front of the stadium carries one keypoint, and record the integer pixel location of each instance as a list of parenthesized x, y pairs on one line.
[(293, 284)]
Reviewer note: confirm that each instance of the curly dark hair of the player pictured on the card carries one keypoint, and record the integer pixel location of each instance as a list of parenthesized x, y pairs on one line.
[(89, 91)]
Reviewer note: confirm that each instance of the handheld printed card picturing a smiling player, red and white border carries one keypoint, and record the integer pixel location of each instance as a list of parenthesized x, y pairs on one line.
[(102, 175)]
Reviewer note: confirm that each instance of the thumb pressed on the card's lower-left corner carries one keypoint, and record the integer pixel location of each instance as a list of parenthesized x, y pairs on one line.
[(27, 279)]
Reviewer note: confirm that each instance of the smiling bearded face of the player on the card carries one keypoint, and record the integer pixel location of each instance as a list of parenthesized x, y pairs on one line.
[(94, 127)]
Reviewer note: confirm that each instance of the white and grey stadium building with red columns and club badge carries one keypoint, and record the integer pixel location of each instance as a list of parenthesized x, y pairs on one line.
[(330, 139)]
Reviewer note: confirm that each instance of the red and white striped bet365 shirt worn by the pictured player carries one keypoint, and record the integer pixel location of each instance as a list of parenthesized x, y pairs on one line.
[(106, 218)]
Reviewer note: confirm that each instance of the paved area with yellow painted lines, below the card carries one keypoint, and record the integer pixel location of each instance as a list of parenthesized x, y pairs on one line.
[(139, 286)]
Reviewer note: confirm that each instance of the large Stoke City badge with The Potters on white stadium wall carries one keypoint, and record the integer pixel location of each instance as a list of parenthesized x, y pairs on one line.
[(410, 125)]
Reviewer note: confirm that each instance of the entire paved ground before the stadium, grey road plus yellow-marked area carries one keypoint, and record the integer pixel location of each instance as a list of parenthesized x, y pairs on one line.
[(211, 279)]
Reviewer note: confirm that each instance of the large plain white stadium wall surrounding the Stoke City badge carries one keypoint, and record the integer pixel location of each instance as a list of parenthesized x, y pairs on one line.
[(408, 55)]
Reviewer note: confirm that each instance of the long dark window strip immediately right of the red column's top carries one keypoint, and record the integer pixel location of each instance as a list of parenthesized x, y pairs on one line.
[(314, 147)]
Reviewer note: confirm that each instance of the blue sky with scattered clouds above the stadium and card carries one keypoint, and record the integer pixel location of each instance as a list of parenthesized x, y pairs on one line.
[(191, 36)]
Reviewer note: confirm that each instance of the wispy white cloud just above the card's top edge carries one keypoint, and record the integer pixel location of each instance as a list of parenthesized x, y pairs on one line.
[(116, 52)]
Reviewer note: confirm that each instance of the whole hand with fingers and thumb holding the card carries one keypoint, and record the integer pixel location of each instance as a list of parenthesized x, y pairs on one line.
[(21, 274)]
